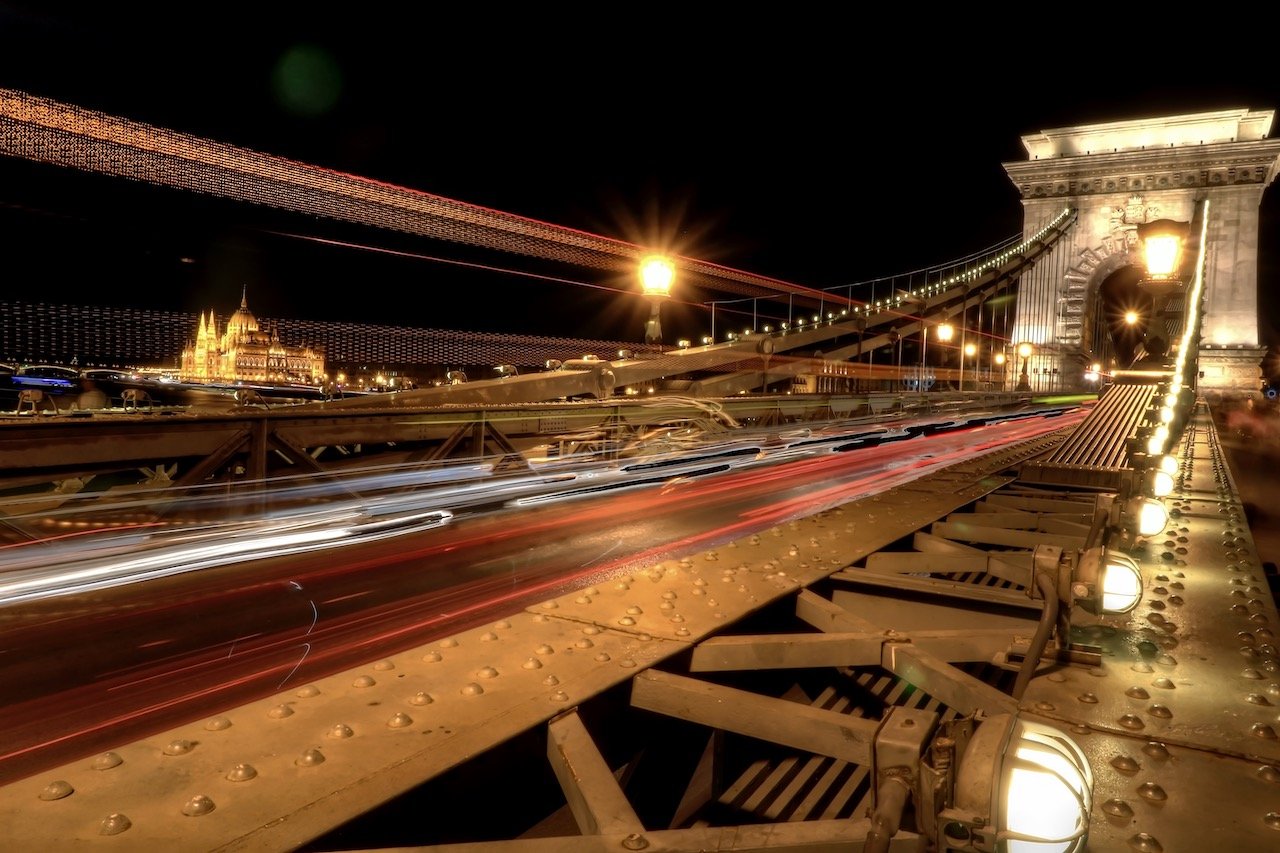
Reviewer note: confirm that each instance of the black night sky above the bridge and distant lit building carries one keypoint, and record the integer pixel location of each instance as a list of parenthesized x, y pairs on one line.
[(819, 152)]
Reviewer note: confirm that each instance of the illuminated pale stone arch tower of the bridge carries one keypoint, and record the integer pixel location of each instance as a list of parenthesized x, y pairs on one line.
[(1121, 176)]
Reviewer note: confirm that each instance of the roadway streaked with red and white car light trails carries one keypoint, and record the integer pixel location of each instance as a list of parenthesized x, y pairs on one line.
[(424, 568)]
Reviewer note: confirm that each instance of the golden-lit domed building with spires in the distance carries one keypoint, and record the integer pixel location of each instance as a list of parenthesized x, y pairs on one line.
[(246, 353)]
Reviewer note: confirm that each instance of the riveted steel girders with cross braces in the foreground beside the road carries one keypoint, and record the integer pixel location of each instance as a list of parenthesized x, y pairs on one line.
[(1177, 714)]
